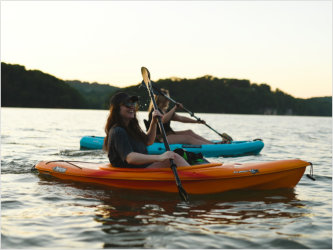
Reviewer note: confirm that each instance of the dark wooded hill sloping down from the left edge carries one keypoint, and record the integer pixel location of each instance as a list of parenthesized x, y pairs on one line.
[(33, 88)]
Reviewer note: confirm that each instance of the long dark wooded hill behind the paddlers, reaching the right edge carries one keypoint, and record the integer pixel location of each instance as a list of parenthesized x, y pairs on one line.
[(209, 94)]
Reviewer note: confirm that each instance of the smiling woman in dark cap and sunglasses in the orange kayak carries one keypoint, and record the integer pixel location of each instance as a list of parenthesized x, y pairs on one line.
[(126, 143)]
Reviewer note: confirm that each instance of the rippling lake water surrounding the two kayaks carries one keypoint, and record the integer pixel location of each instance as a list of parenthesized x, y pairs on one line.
[(48, 213)]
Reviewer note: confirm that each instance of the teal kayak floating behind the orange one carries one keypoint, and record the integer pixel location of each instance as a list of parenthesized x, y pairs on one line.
[(235, 148)]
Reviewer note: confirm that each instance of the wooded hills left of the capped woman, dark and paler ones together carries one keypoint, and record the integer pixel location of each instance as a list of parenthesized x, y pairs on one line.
[(33, 88)]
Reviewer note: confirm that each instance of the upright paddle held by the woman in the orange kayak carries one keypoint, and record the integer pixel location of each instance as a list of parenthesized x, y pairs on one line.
[(146, 79)]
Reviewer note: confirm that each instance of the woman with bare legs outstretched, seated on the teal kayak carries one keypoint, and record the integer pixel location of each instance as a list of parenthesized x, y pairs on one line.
[(183, 136)]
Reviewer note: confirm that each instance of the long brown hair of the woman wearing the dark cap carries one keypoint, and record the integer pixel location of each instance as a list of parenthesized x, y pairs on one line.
[(115, 119)]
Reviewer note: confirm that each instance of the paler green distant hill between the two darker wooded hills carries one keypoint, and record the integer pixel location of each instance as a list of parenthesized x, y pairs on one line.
[(97, 95)]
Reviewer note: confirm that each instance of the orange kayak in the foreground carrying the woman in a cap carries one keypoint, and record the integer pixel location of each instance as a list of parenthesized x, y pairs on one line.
[(196, 179)]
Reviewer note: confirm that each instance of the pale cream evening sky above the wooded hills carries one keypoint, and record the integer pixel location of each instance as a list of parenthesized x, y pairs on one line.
[(286, 44)]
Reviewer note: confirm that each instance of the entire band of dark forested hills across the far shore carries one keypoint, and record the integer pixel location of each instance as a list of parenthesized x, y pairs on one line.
[(207, 94)]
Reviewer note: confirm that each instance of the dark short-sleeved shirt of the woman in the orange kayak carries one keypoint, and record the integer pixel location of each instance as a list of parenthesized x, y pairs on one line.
[(120, 145)]
